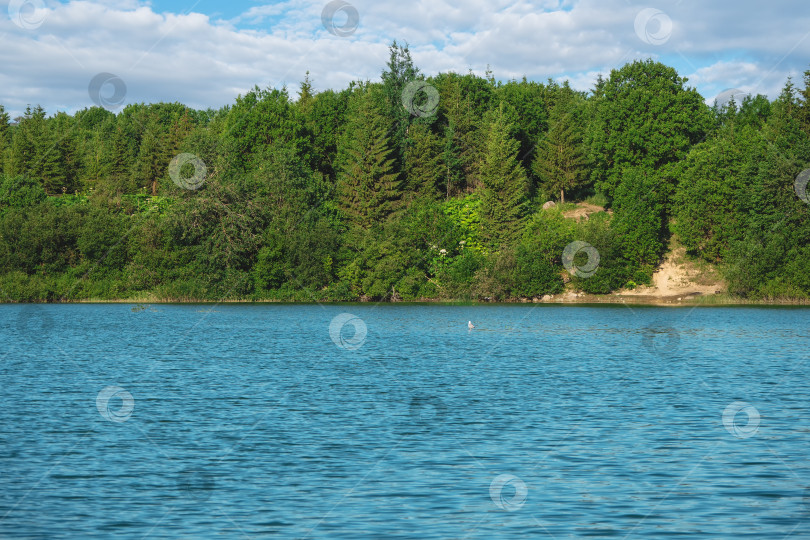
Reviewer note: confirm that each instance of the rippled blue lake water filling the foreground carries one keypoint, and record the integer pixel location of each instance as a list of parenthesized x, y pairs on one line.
[(396, 421)]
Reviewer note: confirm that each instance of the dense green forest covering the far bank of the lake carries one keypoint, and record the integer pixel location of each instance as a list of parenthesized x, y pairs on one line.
[(406, 188)]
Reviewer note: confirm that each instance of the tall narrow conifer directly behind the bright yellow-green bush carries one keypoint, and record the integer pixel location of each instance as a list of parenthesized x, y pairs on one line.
[(504, 198)]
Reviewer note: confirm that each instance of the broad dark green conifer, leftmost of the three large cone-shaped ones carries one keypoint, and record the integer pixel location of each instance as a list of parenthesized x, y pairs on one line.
[(368, 186)]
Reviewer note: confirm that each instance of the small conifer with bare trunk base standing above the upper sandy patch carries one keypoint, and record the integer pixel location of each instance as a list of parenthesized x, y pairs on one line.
[(560, 162)]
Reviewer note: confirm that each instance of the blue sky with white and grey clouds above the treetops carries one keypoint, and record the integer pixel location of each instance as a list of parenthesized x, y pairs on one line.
[(70, 55)]
